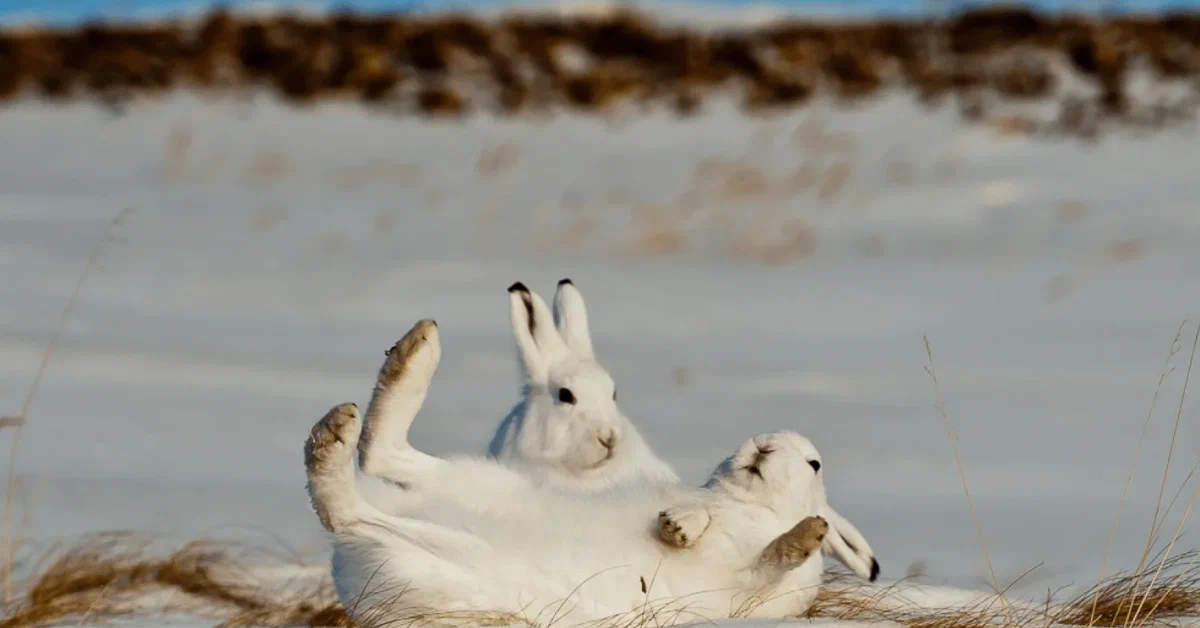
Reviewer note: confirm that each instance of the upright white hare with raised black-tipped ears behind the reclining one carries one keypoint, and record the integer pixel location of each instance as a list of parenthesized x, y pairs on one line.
[(568, 427)]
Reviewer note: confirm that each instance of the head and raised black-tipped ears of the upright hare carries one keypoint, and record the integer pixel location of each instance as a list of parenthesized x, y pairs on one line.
[(569, 420)]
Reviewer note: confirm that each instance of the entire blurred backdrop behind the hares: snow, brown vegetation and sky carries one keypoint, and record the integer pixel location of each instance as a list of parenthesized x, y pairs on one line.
[(769, 208)]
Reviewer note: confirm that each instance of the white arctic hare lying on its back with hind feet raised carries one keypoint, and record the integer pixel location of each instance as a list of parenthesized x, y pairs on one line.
[(479, 536)]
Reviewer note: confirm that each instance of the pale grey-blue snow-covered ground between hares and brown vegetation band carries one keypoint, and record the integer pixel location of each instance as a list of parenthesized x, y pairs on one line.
[(273, 254)]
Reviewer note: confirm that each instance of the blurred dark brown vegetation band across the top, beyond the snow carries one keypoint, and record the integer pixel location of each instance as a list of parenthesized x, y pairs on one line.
[(453, 64)]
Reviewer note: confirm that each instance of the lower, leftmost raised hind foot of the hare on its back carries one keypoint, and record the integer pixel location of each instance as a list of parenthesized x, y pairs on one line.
[(329, 464)]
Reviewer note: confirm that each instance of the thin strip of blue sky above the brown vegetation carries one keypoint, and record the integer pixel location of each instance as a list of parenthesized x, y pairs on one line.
[(69, 11)]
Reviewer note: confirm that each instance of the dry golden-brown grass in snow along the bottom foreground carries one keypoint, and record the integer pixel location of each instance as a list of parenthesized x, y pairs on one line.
[(110, 577)]
